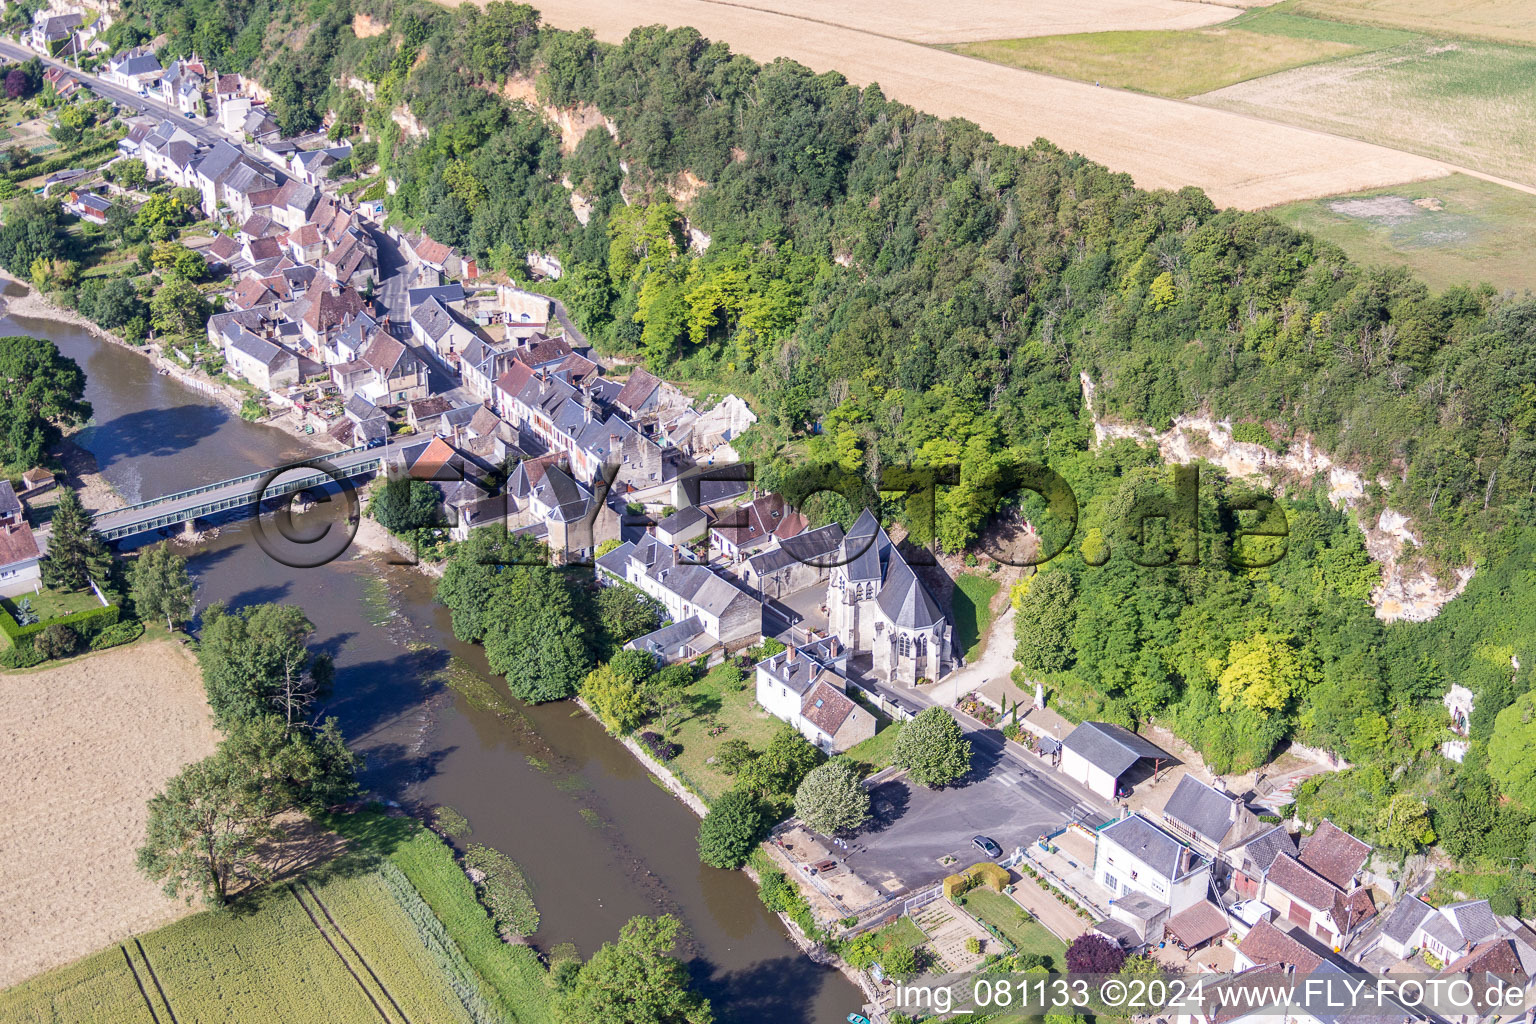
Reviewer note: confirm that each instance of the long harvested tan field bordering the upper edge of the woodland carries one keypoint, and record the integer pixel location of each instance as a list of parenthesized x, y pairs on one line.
[(1162, 144)]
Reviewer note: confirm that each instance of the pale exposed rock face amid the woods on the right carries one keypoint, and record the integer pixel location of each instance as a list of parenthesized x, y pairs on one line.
[(1408, 592)]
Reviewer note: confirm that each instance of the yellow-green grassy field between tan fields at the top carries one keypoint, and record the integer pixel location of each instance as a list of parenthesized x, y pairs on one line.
[(1185, 64)]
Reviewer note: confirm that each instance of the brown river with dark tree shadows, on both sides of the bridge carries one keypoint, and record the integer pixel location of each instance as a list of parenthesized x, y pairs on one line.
[(598, 837)]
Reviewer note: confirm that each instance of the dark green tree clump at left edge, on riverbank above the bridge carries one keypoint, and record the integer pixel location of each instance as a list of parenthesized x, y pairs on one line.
[(42, 394)]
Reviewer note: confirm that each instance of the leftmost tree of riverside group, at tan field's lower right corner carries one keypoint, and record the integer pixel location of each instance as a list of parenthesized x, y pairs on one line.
[(207, 830)]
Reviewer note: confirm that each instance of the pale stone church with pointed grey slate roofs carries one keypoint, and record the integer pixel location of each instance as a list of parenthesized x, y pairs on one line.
[(876, 606)]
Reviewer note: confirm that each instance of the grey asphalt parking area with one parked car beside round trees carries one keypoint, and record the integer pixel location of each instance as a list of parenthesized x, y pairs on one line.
[(915, 827)]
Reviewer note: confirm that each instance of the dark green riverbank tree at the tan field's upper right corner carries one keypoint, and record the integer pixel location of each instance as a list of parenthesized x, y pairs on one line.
[(257, 661)]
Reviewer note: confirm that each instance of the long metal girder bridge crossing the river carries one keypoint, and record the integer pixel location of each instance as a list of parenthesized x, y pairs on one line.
[(239, 494)]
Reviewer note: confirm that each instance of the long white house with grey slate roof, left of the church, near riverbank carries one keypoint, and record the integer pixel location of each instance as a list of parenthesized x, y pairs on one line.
[(684, 589)]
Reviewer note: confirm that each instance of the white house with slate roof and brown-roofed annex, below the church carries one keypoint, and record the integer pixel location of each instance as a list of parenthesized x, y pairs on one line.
[(806, 687)]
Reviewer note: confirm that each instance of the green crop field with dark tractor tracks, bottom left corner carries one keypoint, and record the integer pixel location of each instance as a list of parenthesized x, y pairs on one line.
[(343, 953)]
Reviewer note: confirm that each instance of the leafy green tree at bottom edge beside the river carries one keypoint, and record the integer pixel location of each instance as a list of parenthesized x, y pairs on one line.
[(635, 980)]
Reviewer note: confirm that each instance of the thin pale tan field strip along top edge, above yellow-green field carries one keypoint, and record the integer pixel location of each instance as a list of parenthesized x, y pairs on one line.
[(988, 19)]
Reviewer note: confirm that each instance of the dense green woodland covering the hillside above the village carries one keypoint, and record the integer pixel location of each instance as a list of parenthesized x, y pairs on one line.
[(895, 289)]
